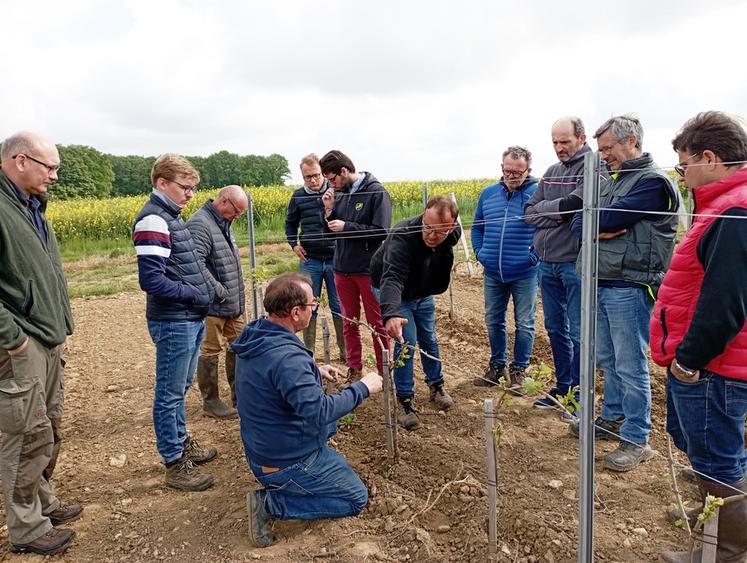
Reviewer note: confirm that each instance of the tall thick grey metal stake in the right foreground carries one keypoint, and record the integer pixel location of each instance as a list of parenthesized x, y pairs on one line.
[(589, 253)]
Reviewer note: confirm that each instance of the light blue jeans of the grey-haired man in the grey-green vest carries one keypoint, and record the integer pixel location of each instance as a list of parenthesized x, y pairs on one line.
[(623, 315)]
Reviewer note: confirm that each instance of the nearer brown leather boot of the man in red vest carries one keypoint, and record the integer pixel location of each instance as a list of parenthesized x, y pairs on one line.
[(732, 523)]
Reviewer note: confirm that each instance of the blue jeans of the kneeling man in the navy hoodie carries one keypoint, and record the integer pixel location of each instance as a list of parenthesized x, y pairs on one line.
[(321, 486)]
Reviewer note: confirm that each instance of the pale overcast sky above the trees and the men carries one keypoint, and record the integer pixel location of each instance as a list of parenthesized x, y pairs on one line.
[(409, 90)]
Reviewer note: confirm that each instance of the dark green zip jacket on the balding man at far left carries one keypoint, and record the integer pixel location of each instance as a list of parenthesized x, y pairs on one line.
[(33, 291)]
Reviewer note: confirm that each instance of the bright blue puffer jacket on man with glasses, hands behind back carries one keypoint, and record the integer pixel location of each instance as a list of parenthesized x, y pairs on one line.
[(502, 241)]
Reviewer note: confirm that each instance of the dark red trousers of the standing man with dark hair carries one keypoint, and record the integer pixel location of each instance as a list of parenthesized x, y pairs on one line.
[(352, 290)]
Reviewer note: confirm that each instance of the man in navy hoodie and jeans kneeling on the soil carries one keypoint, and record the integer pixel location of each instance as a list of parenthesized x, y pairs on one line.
[(286, 418)]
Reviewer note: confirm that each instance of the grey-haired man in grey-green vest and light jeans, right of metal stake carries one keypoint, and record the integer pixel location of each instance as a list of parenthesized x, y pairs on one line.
[(637, 228)]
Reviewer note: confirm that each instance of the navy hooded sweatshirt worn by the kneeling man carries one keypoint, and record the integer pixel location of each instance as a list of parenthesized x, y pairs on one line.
[(283, 409)]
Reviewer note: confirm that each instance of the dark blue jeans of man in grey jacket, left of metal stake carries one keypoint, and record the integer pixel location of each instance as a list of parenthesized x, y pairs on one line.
[(561, 302)]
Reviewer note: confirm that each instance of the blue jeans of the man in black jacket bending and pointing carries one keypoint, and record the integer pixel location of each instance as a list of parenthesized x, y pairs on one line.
[(420, 328)]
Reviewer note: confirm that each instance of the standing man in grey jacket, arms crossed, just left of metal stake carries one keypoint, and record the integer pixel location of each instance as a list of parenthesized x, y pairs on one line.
[(550, 210)]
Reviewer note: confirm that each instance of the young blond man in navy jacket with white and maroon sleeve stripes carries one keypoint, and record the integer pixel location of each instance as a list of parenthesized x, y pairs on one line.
[(178, 296)]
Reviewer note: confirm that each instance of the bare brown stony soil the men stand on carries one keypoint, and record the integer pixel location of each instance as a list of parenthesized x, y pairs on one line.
[(430, 507)]
